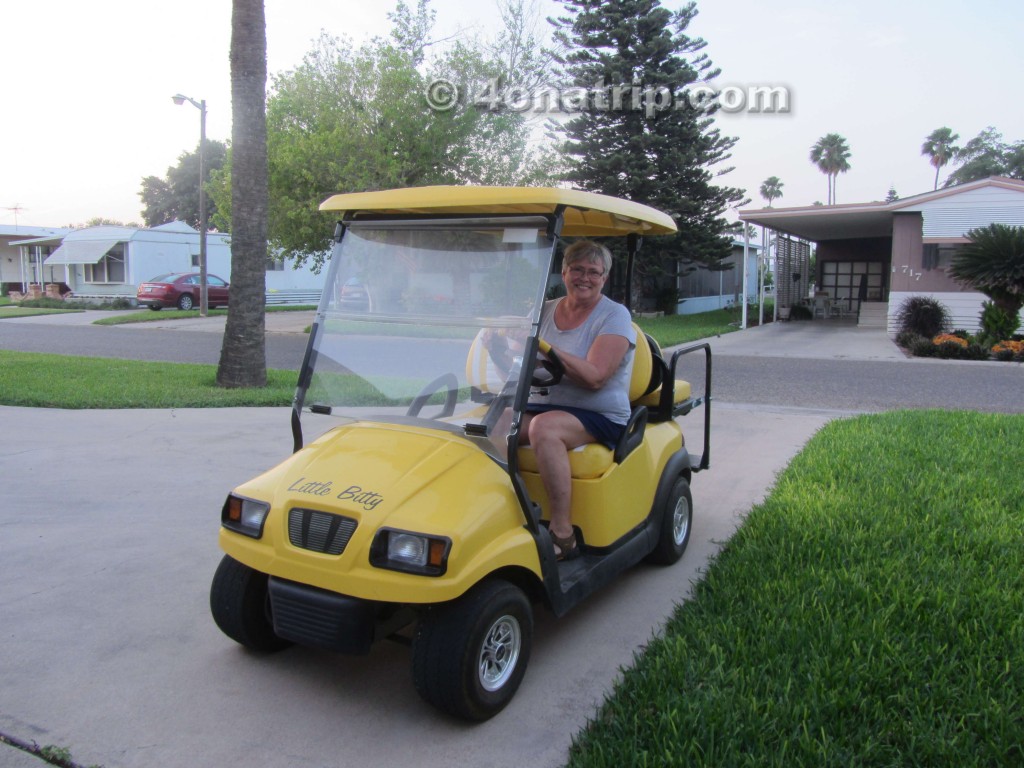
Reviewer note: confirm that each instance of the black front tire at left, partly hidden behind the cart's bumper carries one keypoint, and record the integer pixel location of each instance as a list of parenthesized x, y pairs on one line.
[(241, 607)]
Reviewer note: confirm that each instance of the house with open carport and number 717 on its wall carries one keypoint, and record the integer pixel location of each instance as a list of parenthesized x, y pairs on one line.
[(877, 255)]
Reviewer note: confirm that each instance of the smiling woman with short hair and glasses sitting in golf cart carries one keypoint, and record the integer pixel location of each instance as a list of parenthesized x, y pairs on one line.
[(593, 336)]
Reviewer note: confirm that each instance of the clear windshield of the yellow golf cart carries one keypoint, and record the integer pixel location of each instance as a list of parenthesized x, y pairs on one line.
[(425, 321)]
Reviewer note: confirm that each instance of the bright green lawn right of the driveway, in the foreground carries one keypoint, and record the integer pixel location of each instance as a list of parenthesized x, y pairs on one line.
[(870, 613)]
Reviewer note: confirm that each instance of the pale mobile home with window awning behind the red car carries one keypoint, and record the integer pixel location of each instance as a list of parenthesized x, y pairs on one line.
[(110, 263)]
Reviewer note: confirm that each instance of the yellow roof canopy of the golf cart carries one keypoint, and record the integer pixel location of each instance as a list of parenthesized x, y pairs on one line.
[(587, 215)]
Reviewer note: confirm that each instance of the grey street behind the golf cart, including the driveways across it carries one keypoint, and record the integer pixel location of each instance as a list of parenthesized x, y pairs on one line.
[(818, 365)]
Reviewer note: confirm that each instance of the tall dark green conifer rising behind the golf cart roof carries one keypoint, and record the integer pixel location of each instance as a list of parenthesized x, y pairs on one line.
[(639, 147)]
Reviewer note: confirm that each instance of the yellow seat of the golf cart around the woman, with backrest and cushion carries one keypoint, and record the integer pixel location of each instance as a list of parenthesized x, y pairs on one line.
[(651, 402)]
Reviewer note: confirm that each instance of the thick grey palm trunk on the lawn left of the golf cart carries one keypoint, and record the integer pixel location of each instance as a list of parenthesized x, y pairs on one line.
[(243, 355)]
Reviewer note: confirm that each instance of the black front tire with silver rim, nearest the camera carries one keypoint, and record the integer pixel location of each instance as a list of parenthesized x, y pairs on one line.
[(470, 657)]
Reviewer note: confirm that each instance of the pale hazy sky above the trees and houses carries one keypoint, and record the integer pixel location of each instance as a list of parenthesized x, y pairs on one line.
[(88, 110)]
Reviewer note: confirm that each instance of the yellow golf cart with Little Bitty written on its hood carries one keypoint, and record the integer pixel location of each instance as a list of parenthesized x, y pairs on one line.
[(417, 515)]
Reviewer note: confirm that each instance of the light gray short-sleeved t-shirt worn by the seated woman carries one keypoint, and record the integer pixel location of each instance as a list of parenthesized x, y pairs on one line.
[(609, 318)]
